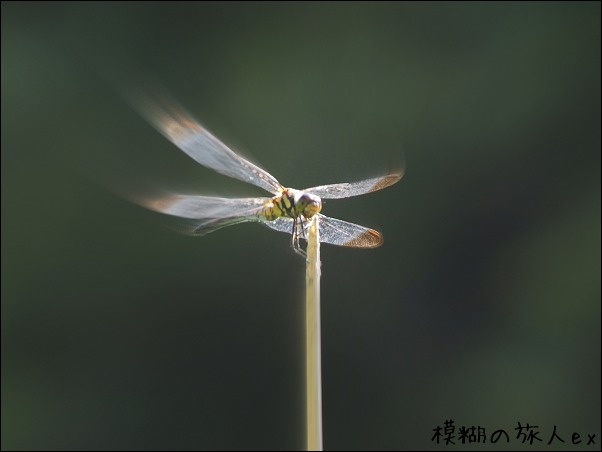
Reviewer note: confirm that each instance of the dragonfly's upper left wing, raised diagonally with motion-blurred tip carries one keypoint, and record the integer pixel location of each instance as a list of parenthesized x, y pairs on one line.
[(196, 141)]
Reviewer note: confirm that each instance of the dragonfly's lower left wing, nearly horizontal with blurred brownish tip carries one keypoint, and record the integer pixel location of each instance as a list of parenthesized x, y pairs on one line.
[(209, 213)]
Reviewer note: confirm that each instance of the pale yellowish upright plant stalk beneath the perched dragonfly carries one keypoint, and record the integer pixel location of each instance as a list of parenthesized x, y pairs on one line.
[(312, 340)]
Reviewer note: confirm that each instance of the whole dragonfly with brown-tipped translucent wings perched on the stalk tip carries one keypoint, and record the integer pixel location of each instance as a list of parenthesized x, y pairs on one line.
[(287, 210)]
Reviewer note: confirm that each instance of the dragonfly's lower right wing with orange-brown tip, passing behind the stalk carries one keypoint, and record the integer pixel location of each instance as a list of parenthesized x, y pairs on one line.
[(336, 232)]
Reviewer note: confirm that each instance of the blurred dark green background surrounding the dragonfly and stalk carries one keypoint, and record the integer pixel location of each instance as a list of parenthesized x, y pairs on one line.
[(483, 305)]
